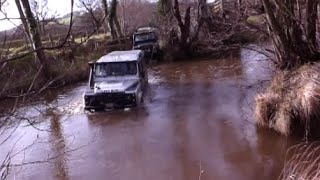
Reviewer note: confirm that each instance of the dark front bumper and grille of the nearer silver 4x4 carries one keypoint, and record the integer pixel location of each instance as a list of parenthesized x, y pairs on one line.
[(109, 100)]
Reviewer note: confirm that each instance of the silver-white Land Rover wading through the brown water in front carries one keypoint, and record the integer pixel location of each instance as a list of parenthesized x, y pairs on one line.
[(117, 80)]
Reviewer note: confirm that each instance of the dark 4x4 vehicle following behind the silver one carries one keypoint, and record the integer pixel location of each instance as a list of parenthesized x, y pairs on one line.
[(146, 39)]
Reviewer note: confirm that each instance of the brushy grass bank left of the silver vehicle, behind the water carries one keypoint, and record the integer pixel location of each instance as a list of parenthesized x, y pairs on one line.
[(67, 65)]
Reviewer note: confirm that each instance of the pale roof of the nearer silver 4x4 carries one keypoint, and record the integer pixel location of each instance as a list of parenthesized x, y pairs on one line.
[(121, 56)]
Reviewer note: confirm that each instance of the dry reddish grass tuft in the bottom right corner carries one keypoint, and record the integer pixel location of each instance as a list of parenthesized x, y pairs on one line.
[(302, 162)]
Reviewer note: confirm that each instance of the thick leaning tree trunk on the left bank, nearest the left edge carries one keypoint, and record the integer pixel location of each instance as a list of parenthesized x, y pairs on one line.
[(36, 39)]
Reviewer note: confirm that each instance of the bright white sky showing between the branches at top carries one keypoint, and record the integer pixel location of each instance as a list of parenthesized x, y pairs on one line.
[(62, 7)]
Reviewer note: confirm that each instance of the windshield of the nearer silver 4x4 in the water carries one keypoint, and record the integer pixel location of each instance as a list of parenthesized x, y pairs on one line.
[(115, 69)]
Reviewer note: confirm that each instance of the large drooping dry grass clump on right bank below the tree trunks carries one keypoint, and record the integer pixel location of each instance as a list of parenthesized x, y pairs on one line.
[(292, 104)]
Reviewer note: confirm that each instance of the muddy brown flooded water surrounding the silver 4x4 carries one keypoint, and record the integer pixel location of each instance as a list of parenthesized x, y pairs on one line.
[(197, 123)]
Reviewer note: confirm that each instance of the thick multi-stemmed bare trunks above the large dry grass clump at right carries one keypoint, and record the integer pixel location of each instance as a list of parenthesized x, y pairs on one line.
[(288, 31)]
